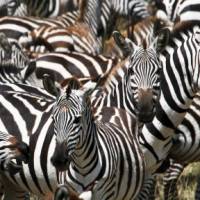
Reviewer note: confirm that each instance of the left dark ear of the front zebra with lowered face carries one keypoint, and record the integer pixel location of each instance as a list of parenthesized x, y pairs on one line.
[(49, 85)]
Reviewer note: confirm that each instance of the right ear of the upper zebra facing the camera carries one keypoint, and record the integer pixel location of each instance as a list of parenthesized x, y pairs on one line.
[(162, 39)]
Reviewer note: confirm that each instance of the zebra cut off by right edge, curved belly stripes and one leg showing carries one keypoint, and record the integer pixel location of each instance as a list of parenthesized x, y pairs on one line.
[(184, 150)]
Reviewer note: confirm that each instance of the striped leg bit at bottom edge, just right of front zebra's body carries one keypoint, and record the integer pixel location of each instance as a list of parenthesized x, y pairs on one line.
[(148, 189)]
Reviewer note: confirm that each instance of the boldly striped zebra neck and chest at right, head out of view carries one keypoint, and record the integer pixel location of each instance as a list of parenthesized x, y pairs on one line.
[(176, 93)]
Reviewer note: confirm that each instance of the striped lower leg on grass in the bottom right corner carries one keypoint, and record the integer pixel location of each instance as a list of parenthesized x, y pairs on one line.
[(170, 180)]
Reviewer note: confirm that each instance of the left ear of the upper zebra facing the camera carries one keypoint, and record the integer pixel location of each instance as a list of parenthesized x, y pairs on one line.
[(125, 44)]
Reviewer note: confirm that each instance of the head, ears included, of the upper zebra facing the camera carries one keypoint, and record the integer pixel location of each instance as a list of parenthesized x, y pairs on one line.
[(142, 82)]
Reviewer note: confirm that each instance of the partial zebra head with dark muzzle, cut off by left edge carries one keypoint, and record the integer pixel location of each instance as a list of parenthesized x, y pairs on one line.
[(11, 148)]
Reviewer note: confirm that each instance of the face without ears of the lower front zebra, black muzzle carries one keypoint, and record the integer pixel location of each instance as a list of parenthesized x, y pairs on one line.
[(67, 126)]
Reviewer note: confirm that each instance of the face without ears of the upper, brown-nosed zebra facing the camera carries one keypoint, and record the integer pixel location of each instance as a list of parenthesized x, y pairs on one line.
[(143, 82)]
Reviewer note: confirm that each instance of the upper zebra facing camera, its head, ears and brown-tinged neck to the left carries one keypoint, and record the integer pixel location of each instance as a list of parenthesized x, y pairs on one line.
[(124, 89)]
